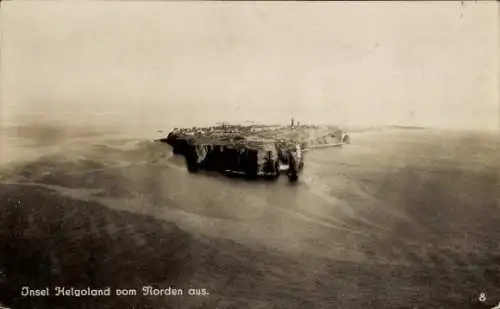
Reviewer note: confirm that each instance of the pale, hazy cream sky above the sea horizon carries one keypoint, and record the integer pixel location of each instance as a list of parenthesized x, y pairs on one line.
[(155, 62)]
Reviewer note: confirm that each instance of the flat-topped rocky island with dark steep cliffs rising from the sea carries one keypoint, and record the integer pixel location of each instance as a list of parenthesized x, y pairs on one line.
[(251, 150)]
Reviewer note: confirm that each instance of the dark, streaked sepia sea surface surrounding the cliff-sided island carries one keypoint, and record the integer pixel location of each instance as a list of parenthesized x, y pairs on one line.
[(400, 218)]
